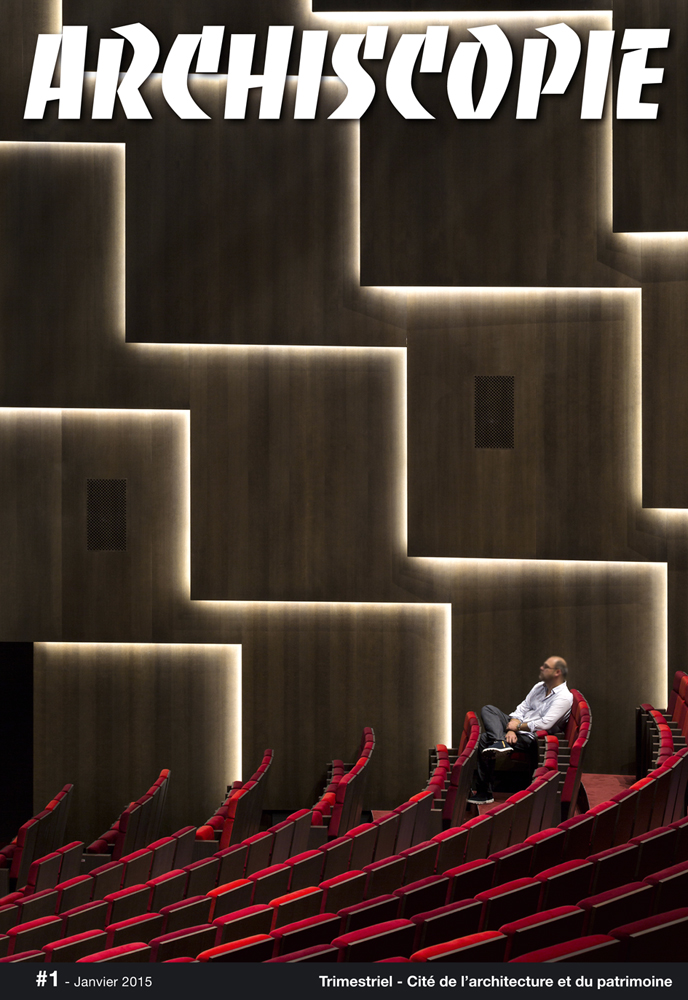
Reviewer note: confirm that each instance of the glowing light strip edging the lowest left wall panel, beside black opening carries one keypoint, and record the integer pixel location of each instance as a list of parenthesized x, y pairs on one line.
[(233, 729)]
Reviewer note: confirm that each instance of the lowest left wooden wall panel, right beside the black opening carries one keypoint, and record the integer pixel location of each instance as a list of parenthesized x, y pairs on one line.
[(109, 717)]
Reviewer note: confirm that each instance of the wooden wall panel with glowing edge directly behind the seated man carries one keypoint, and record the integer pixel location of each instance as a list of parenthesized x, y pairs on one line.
[(606, 619)]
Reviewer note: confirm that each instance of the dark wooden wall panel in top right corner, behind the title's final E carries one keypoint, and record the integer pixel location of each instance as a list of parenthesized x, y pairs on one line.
[(651, 157)]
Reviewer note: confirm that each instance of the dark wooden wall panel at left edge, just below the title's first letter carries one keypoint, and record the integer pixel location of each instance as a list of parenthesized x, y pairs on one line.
[(60, 264)]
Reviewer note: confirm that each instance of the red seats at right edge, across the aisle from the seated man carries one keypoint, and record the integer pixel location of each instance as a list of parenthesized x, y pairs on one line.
[(660, 733)]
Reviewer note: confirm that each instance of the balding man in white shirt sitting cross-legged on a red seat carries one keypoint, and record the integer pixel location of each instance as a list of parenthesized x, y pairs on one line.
[(546, 706)]
